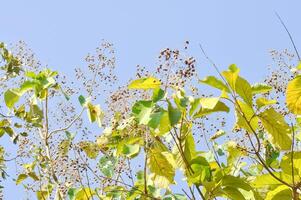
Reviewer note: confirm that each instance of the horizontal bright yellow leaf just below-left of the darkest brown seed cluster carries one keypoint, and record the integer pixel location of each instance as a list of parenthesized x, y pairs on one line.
[(145, 83)]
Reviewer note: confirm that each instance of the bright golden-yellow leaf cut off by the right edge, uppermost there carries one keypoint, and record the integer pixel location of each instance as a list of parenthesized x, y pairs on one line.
[(293, 95)]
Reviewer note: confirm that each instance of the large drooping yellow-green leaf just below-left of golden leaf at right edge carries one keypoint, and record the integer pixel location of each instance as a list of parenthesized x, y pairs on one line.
[(278, 129)]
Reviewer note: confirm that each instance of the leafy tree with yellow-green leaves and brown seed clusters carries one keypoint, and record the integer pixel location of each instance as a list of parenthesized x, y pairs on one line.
[(153, 129)]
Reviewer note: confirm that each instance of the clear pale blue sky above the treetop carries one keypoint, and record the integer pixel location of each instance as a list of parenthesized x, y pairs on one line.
[(62, 32)]
